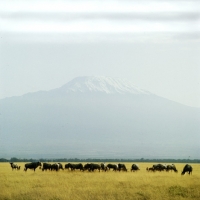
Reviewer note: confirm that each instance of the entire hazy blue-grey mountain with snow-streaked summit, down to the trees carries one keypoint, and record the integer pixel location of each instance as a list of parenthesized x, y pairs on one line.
[(97, 117)]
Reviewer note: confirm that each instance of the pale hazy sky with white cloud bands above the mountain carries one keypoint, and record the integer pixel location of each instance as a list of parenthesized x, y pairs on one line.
[(154, 44)]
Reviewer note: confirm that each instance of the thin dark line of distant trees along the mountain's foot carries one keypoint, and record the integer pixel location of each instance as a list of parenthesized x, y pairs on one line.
[(100, 160)]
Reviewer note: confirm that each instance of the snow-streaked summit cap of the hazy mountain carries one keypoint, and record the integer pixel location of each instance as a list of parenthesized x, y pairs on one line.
[(102, 84)]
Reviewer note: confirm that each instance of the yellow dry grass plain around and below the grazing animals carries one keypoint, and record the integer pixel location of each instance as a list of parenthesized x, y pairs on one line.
[(141, 185)]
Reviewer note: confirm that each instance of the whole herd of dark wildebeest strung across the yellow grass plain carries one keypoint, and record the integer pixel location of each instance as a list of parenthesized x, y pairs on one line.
[(91, 167)]
